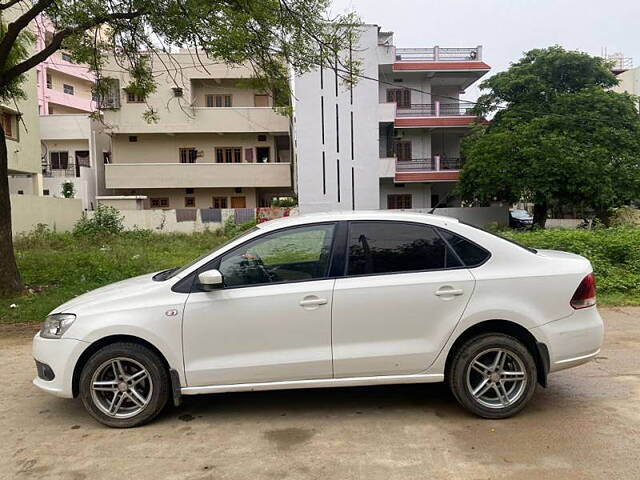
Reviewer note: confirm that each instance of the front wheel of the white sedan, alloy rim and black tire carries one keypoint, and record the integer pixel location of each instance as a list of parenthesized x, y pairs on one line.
[(155, 386)]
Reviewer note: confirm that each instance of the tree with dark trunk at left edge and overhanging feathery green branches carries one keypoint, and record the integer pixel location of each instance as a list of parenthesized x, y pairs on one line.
[(268, 34)]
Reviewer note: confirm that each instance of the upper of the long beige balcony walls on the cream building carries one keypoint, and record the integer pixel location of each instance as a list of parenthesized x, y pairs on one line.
[(129, 119)]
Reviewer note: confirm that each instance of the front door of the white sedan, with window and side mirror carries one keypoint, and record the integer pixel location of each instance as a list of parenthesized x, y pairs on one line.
[(271, 321)]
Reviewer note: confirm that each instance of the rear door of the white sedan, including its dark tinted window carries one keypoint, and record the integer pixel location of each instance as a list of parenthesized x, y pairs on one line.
[(403, 294)]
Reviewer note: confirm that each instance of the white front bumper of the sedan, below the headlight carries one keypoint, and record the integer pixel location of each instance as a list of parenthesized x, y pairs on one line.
[(61, 355)]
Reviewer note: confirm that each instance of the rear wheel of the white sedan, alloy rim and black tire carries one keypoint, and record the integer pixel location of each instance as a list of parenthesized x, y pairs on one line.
[(462, 378)]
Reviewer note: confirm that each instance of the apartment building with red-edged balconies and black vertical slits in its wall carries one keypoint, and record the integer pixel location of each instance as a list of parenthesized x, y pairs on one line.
[(393, 139)]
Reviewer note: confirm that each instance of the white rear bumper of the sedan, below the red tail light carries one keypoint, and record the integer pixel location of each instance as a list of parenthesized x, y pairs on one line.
[(572, 340)]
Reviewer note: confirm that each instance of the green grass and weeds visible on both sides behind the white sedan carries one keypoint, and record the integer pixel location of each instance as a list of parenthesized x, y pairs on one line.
[(58, 267)]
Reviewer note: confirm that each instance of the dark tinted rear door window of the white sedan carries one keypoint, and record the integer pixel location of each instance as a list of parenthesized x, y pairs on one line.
[(384, 247)]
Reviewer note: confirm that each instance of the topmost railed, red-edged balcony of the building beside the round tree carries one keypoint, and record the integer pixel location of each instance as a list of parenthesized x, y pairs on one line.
[(440, 59)]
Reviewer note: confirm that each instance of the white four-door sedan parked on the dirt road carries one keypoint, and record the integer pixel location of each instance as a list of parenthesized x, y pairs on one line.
[(328, 300)]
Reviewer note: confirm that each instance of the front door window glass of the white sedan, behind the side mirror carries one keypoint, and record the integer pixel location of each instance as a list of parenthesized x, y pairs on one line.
[(291, 255)]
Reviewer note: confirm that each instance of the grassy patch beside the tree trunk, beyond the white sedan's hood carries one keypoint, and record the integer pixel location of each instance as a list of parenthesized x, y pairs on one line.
[(58, 267)]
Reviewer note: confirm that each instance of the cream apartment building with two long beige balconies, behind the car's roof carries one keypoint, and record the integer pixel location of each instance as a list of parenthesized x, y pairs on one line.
[(215, 143)]
